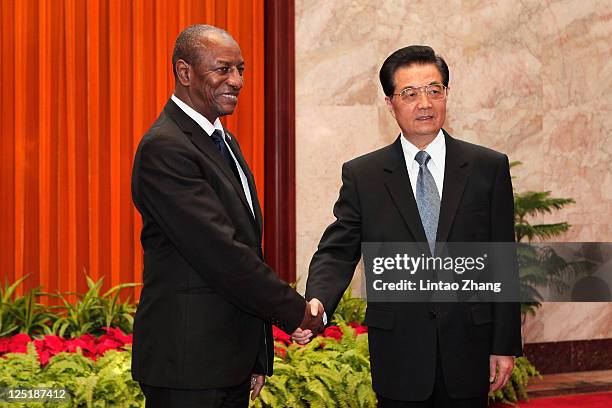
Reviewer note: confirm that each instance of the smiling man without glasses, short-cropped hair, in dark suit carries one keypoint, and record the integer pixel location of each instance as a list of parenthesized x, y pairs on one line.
[(202, 331)]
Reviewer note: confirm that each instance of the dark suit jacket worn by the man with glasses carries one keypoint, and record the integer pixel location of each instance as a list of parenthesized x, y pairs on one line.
[(376, 204)]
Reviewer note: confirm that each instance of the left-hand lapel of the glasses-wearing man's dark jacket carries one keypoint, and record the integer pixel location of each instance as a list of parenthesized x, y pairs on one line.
[(398, 185)]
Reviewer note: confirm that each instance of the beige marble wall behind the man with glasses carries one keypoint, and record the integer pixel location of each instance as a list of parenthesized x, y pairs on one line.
[(531, 79)]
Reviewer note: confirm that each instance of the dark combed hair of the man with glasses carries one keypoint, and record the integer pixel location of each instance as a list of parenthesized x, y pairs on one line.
[(413, 54)]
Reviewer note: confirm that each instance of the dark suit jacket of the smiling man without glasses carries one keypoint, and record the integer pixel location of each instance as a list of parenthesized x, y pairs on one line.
[(203, 320)]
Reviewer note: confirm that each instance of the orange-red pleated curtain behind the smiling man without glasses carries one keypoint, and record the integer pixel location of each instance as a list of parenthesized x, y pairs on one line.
[(81, 81)]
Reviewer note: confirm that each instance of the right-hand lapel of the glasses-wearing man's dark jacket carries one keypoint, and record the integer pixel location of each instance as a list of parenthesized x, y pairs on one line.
[(456, 172)]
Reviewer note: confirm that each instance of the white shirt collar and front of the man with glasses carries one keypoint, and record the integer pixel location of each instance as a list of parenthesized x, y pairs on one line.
[(436, 150)]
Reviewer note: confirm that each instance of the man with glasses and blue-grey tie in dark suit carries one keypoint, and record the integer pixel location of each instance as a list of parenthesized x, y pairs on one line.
[(425, 187)]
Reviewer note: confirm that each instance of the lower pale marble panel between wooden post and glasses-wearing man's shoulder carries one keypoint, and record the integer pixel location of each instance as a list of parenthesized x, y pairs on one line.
[(330, 136)]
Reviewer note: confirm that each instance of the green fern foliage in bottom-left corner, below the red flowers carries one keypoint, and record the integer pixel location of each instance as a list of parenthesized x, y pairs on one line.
[(102, 383)]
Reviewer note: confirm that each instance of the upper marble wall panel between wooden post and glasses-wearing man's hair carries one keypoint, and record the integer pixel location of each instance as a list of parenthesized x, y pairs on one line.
[(337, 63)]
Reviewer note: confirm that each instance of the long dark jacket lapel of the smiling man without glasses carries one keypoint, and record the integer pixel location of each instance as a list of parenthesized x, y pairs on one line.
[(205, 144)]
